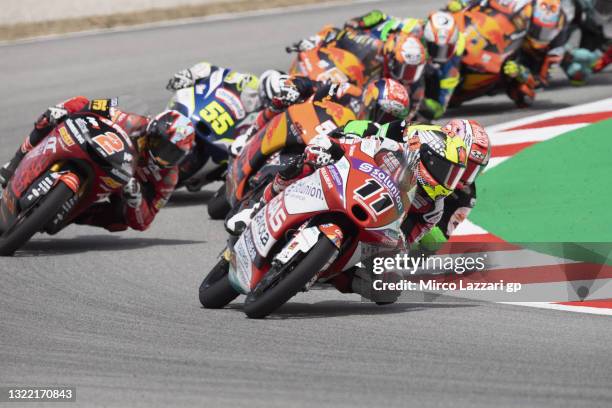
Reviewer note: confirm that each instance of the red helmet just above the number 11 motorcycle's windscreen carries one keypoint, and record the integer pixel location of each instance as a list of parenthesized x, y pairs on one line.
[(385, 100)]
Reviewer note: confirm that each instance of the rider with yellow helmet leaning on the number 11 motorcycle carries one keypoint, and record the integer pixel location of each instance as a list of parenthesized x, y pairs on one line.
[(435, 160)]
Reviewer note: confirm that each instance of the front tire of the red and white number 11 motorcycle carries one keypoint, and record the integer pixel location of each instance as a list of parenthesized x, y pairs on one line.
[(259, 305)]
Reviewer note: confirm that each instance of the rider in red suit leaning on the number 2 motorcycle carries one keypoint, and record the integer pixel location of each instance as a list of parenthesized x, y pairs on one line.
[(162, 142)]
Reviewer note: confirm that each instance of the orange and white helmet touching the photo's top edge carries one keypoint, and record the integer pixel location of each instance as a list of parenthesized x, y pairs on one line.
[(546, 23)]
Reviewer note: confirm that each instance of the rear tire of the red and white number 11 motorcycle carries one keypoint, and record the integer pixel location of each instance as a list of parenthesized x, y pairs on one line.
[(216, 290)]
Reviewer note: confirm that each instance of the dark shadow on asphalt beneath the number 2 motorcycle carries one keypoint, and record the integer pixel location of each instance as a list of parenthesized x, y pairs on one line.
[(94, 243)]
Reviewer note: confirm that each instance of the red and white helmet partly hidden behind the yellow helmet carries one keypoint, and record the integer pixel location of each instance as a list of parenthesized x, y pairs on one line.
[(477, 143)]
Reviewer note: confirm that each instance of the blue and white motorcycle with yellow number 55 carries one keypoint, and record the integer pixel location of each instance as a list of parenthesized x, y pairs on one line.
[(218, 115)]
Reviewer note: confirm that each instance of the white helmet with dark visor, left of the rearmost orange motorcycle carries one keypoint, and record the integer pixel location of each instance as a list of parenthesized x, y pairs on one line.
[(441, 36)]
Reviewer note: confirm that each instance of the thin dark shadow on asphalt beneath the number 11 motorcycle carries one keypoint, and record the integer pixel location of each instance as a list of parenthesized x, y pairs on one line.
[(340, 308)]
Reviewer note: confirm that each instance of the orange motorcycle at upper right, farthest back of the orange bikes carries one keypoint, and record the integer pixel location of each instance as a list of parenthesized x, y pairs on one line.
[(490, 42)]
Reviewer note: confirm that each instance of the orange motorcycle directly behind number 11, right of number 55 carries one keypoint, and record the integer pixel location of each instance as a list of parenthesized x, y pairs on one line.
[(285, 135)]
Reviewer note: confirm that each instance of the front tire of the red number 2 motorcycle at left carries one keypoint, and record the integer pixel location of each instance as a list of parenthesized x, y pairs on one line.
[(36, 220)]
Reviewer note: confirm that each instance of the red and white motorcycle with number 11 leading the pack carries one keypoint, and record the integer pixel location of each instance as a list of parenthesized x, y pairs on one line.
[(310, 233)]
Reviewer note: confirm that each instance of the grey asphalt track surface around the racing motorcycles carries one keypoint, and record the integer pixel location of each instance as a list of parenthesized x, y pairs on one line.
[(117, 315)]
